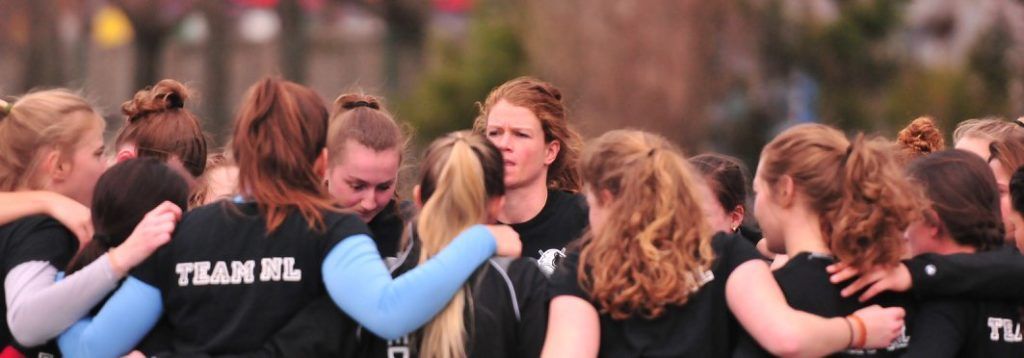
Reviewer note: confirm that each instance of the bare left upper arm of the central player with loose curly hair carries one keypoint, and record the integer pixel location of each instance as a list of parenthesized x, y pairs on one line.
[(574, 329)]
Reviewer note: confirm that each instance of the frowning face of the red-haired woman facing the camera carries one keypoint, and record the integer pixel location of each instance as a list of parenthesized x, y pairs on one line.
[(518, 133)]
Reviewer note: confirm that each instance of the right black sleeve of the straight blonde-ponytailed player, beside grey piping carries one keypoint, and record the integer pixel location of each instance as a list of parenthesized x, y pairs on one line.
[(532, 292)]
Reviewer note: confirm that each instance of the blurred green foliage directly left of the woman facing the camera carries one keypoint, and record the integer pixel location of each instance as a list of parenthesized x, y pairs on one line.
[(464, 74)]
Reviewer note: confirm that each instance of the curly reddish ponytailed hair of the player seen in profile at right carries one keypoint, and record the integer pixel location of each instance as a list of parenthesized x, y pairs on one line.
[(859, 189)]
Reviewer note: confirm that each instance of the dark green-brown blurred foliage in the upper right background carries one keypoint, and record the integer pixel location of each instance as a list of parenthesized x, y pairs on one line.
[(868, 82)]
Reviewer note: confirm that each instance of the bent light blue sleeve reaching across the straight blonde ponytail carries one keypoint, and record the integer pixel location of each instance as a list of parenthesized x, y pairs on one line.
[(360, 284)]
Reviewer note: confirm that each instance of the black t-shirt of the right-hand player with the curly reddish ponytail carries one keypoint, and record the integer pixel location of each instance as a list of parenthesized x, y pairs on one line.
[(806, 286)]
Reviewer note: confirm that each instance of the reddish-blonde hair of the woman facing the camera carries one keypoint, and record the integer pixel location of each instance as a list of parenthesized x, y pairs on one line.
[(545, 102)]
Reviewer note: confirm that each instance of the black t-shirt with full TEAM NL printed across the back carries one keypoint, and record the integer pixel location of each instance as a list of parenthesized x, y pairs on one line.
[(228, 286)]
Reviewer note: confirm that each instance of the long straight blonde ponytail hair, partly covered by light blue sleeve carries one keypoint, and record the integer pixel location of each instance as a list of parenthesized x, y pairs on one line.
[(461, 173)]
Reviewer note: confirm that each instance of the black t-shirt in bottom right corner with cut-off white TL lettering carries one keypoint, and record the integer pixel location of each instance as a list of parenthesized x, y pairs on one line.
[(967, 329)]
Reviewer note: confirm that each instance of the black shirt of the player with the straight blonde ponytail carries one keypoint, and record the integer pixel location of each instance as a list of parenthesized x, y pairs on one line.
[(491, 323)]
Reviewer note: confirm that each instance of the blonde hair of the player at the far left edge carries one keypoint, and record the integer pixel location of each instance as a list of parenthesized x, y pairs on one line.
[(36, 122)]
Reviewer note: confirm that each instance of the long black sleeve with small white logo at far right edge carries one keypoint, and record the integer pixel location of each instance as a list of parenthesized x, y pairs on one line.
[(982, 276)]
